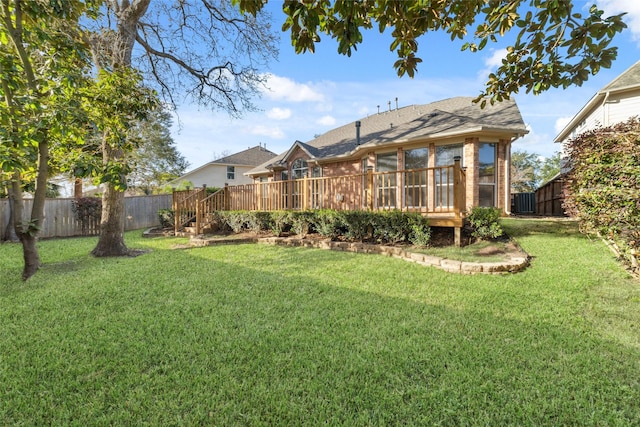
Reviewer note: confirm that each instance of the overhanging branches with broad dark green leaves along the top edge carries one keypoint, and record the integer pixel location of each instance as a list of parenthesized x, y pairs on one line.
[(555, 45)]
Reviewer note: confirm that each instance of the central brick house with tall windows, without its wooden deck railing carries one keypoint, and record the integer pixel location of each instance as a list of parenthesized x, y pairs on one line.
[(417, 137)]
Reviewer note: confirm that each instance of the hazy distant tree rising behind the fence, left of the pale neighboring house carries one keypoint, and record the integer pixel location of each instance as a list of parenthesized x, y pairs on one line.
[(156, 160)]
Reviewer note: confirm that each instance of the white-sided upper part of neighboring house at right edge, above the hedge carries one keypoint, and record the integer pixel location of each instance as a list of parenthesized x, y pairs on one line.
[(616, 102)]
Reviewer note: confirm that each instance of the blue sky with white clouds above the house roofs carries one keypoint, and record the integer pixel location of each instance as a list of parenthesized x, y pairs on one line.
[(309, 94)]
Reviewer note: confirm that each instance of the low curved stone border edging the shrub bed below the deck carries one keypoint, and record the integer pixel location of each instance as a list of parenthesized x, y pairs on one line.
[(513, 265)]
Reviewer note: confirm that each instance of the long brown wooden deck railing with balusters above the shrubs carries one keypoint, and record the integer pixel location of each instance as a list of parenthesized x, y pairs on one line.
[(428, 190)]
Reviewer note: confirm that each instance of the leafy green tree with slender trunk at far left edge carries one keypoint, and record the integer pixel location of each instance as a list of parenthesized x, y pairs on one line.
[(42, 70)]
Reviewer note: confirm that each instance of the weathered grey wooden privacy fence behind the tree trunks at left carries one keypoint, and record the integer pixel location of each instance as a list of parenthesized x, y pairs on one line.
[(60, 220)]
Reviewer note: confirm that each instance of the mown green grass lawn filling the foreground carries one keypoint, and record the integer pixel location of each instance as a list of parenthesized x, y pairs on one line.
[(264, 335)]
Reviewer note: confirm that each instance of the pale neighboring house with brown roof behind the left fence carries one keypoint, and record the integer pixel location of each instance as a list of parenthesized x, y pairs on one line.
[(228, 170)]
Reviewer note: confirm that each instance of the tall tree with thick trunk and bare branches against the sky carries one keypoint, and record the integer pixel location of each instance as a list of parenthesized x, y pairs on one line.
[(203, 48)]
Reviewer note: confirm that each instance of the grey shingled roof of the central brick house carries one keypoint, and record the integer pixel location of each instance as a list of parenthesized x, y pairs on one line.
[(449, 117)]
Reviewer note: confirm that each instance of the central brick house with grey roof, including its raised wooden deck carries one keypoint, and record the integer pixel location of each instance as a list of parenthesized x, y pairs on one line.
[(438, 159)]
